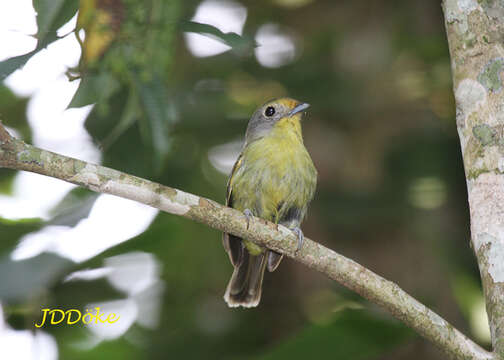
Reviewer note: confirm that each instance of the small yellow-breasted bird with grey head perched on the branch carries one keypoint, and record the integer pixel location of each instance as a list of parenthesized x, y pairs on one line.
[(274, 178)]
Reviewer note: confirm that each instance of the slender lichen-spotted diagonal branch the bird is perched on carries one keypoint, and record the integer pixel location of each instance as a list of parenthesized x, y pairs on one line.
[(15, 154)]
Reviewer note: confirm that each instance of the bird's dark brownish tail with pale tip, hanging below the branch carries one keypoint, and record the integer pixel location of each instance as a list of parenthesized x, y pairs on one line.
[(244, 288)]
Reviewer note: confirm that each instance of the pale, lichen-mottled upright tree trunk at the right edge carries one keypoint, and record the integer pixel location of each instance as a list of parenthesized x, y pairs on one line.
[(475, 35)]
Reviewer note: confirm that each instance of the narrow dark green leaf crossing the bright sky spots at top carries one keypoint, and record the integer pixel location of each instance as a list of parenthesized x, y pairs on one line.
[(240, 44)]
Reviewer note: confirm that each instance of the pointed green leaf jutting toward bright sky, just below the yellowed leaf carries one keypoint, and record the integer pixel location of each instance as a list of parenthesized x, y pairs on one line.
[(94, 88)]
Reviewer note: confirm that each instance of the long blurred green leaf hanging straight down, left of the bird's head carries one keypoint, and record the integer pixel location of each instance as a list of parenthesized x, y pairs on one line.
[(160, 114)]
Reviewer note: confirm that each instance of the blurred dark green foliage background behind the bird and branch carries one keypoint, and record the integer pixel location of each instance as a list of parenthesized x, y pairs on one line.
[(381, 131)]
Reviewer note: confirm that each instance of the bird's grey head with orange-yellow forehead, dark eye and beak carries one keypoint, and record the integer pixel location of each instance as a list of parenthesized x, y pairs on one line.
[(266, 116)]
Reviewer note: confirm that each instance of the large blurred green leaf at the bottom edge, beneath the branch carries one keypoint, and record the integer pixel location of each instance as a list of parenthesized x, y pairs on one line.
[(354, 334)]
